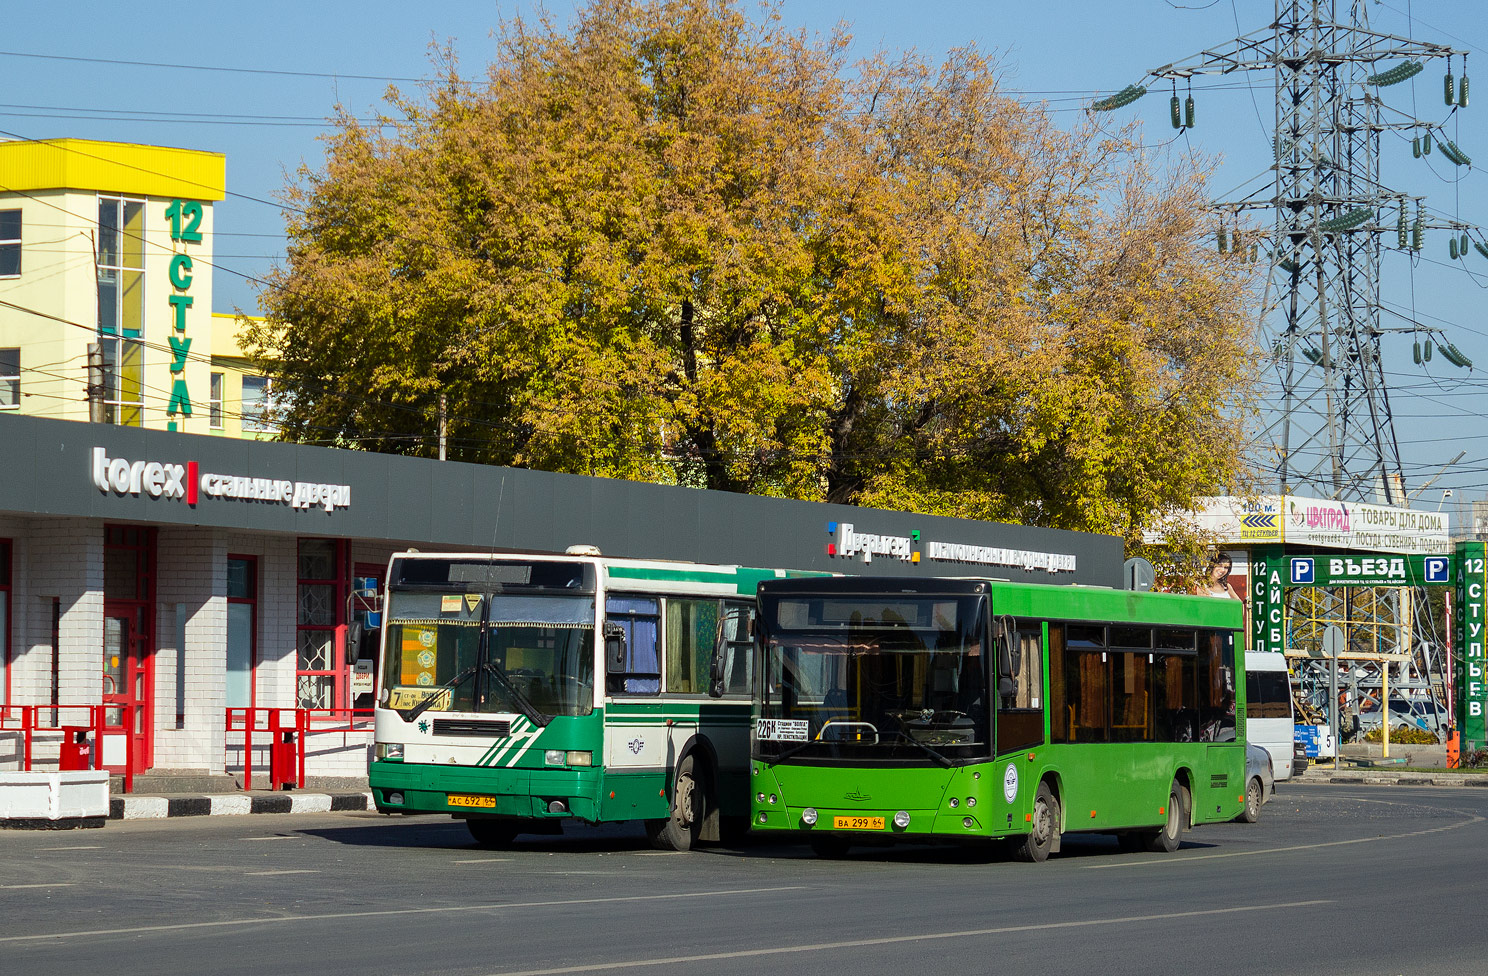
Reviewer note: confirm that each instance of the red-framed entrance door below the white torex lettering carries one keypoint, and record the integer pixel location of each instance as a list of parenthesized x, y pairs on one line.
[(138, 664)]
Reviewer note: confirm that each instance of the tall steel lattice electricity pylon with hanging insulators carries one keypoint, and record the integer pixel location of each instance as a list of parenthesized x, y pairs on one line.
[(1331, 432)]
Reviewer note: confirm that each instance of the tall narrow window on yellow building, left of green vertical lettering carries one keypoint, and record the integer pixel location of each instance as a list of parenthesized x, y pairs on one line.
[(121, 307)]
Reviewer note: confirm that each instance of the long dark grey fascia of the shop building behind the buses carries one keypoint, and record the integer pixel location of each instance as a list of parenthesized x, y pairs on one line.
[(452, 505)]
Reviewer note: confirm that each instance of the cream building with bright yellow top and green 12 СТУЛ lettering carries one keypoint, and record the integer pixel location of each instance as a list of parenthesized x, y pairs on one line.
[(106, 270)]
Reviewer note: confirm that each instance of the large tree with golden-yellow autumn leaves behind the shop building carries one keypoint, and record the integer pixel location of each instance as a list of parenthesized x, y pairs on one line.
[(675, 243)]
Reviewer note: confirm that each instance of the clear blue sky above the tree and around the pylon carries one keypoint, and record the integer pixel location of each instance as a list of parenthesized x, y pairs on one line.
[(297, 60)]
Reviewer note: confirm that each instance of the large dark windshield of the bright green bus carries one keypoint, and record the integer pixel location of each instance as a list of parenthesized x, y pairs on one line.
[(874, 678)]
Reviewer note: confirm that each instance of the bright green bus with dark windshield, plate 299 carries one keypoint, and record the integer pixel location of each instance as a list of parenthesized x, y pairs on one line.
[(975, 710)]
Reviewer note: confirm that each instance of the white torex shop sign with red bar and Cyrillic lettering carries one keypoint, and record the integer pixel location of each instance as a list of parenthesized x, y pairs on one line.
[(158, 480)]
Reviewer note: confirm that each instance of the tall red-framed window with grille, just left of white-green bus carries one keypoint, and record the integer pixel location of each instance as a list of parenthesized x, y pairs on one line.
[(321, 673)]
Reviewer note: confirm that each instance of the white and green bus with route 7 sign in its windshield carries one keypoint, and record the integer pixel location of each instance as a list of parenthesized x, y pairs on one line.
[(522, 691)]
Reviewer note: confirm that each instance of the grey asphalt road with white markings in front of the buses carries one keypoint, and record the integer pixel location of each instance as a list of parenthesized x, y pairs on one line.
[(1333, 880)]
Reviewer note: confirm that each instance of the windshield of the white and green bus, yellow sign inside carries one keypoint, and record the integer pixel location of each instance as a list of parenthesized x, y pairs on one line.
[(490, 652)]
